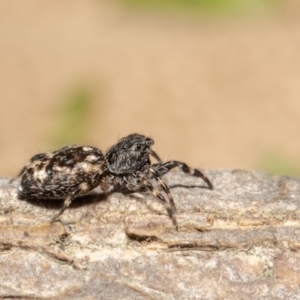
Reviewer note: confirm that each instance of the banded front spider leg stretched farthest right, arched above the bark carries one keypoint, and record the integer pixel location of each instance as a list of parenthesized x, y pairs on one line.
[(162, 169)]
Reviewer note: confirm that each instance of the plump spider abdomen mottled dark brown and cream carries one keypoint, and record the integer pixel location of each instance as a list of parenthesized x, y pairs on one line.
[(59, 174)]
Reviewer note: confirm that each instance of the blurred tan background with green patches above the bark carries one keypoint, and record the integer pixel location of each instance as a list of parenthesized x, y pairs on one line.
[(216, 83)]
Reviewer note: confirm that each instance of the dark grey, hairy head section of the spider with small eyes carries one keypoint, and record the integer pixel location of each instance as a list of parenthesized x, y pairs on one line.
[(129, 154)]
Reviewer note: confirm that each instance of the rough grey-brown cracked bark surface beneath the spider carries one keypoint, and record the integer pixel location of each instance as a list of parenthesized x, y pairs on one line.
[(238, 241)]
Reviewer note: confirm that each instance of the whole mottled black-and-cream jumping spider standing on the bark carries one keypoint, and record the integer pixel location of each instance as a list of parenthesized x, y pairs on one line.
[(75, 170)]
